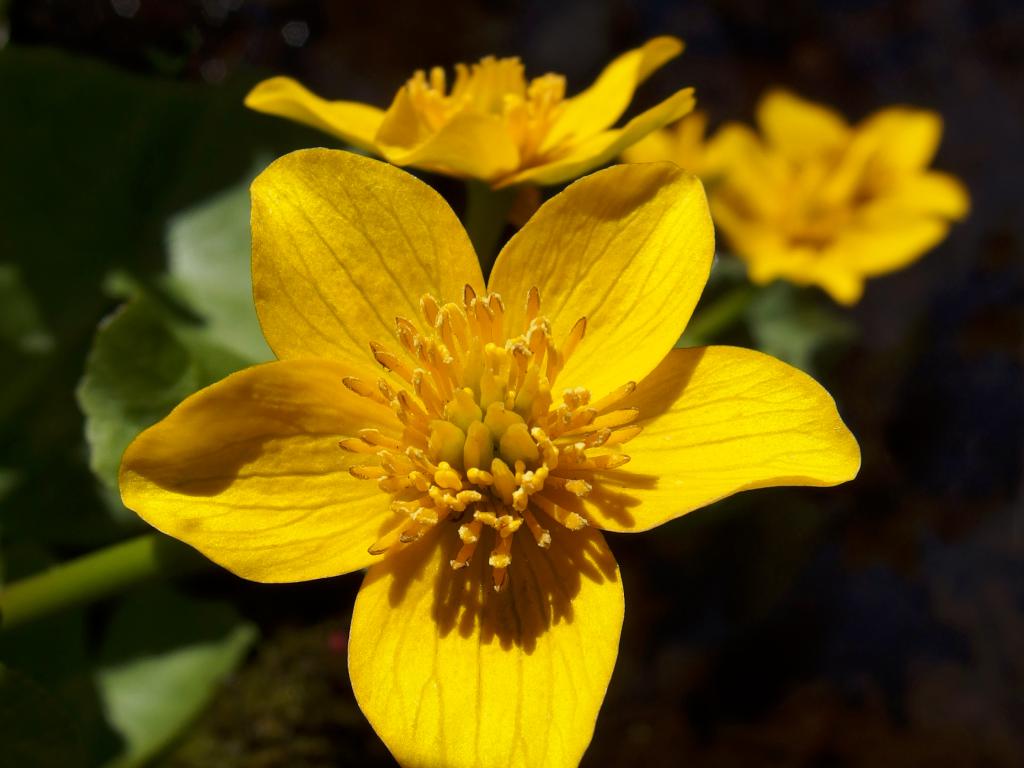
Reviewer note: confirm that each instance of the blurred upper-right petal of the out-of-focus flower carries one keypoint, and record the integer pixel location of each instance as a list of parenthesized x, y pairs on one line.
[(906, 139)]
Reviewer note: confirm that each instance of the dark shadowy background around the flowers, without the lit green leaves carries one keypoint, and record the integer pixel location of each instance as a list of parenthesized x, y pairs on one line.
[(881, 623)]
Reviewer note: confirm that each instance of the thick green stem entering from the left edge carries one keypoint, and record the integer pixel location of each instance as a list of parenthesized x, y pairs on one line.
[(94, 577)]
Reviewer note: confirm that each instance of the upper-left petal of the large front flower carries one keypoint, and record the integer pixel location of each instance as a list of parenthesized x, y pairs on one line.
[(342, 245)]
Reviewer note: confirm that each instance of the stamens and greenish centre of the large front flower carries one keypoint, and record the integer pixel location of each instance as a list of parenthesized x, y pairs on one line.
[(485, 444)]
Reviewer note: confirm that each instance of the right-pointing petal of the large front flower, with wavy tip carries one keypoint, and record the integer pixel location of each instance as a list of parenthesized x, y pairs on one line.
[(716, 421)]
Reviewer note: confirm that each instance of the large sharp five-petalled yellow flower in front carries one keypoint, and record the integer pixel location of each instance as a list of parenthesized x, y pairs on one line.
[(504, 430)]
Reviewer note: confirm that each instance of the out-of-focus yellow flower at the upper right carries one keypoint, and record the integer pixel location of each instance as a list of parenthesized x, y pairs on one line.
[(819, 202)]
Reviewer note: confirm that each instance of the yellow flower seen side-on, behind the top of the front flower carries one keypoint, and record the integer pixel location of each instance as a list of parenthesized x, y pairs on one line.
[(492, 124)]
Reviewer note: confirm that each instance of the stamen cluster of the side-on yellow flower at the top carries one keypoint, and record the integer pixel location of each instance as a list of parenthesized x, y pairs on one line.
[(494, 87)]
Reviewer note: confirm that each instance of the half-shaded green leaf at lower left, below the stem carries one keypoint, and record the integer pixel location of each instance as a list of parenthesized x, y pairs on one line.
[(166, 657)]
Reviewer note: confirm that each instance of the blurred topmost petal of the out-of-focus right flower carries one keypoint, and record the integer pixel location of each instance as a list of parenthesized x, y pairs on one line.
[(800, 129)]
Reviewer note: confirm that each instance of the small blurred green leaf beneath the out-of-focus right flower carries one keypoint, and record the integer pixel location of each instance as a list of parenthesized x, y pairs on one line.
[(795, 326)]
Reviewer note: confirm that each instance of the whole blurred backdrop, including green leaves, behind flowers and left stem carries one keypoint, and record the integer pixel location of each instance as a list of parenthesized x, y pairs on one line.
[(880, 623)]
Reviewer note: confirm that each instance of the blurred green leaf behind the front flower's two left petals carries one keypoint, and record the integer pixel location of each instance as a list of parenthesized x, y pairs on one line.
[(198, 326)]
